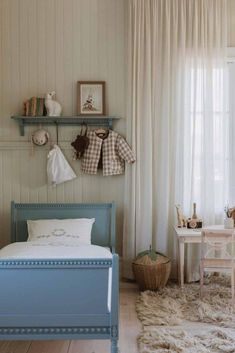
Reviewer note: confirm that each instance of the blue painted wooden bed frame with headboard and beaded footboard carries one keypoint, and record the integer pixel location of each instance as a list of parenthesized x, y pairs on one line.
[(60, 298)]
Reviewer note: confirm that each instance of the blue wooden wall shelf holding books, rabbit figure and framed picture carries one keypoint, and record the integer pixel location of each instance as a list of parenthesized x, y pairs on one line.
[(99, 120)]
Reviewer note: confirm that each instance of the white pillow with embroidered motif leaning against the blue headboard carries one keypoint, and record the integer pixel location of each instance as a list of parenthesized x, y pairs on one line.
[(61, 231)]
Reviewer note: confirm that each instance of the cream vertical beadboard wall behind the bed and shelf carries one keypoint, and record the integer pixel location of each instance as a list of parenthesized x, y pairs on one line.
[(50, 45)]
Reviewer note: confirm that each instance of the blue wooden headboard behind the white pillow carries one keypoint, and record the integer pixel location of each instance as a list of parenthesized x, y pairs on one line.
[(103, 230)]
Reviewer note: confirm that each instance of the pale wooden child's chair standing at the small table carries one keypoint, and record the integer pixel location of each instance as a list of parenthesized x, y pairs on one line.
[(217, 254)]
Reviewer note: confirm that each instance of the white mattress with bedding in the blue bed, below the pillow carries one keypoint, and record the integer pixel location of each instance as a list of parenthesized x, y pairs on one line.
[(37, 250)]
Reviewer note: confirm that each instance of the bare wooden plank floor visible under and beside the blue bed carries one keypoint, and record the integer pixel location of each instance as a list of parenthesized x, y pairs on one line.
[(129, 330)]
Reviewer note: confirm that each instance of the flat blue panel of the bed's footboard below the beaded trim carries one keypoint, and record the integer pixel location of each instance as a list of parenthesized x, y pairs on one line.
[(54, 295)]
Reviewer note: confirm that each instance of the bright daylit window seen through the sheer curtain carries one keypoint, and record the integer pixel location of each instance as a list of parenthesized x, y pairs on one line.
[(209, 168)]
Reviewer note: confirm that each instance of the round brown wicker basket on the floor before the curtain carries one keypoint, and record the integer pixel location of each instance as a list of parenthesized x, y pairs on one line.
[(151, 273)]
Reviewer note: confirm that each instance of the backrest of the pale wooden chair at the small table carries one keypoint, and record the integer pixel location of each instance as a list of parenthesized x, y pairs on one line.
[(218, 241)]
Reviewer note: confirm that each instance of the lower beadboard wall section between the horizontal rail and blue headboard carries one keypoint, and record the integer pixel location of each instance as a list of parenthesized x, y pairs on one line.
[(24, 180)]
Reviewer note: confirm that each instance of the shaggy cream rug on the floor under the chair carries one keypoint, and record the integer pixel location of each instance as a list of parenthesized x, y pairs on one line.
[(182, 309)]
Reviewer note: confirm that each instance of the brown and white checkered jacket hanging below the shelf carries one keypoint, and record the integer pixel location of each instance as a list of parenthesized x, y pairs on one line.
[(115, 151)]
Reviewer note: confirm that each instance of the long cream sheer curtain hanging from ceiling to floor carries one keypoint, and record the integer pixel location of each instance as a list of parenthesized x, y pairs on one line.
[(176, 84)]
